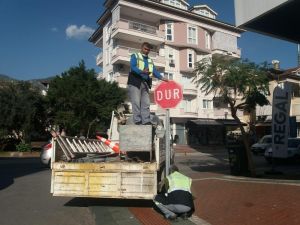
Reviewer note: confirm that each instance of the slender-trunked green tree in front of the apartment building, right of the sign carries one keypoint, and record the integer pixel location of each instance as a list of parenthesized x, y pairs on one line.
[(239, 83)]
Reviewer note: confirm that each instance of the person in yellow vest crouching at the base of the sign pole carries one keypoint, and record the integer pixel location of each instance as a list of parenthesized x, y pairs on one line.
[(177, 200)]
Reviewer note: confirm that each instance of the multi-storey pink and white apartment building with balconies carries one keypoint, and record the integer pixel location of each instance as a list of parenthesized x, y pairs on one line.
[(180, 35)]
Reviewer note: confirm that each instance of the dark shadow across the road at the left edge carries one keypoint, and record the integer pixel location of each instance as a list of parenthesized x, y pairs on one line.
[(11, 168)]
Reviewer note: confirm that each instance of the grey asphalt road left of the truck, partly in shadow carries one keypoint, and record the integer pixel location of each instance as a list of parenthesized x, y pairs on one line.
[(25, 197)]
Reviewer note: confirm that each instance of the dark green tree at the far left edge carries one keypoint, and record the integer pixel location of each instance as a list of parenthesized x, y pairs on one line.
[(21, 109)]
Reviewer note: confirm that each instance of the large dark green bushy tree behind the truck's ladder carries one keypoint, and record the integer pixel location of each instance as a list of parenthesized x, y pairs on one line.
[(77, 98)]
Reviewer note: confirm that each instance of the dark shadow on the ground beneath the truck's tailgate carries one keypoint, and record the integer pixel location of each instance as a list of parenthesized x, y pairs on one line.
[(86, 202)]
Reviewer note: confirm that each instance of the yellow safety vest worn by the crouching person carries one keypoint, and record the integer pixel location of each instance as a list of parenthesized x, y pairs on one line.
[(178, 181)]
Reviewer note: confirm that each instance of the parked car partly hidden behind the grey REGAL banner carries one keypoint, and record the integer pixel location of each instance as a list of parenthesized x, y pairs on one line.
[(293, 150)]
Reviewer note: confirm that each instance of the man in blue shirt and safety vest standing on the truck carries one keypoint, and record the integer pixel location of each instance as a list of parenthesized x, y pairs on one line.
[(139, 84)]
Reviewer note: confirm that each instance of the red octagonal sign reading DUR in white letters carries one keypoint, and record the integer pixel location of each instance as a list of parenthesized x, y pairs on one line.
[(168, 94)]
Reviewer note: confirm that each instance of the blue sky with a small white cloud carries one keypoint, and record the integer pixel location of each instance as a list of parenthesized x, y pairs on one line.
[(39, 38)]
